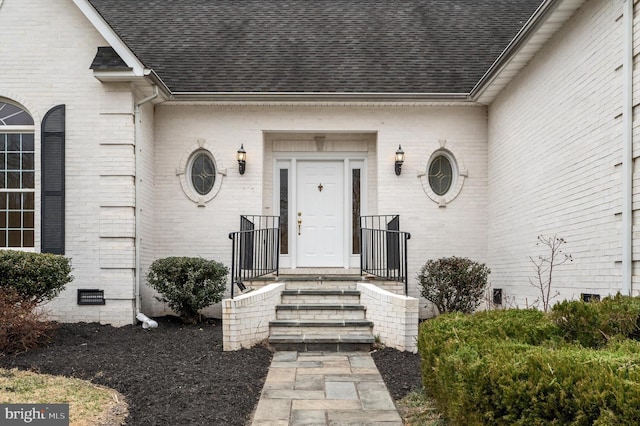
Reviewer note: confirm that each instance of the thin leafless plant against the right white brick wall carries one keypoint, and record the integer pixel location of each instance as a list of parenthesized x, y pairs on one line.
[(544, 266)]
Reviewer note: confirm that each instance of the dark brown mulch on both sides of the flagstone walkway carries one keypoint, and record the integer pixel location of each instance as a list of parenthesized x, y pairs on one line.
[(177, 374)]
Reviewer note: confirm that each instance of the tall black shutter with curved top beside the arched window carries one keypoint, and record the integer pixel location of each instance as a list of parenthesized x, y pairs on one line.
[(52, 169)]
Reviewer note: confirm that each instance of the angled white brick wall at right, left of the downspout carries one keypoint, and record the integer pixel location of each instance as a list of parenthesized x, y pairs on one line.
[(554, 147)]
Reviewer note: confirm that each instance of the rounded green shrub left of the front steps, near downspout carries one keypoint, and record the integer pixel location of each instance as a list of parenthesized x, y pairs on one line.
[(188, 284)]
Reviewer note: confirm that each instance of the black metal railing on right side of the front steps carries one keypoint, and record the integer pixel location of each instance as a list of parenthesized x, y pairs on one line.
[(383, 248)]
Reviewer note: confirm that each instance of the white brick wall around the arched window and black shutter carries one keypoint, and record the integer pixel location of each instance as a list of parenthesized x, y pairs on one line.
[(45, 56)]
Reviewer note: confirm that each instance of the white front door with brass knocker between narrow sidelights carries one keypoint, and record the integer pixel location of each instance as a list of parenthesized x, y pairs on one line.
[(320, 213)]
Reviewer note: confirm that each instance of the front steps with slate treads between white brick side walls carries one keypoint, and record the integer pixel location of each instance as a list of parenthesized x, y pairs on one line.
[(319, 314)]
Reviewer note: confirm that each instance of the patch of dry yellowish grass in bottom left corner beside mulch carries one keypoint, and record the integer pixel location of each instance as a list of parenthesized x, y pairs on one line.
[(89, 404)]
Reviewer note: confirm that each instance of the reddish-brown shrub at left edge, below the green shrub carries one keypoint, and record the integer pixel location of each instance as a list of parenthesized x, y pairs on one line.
[(22, 325)]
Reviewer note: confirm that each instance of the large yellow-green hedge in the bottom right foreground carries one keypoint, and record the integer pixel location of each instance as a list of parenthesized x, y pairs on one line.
[(513, 368)]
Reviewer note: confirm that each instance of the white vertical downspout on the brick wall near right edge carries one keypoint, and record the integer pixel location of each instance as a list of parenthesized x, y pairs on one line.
[(627, 149)]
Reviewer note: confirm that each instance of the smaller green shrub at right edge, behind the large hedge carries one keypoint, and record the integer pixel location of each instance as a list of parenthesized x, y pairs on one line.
[(593, 324)]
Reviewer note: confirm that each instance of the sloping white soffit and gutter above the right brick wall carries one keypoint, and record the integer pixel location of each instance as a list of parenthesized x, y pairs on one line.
[(543, 25)]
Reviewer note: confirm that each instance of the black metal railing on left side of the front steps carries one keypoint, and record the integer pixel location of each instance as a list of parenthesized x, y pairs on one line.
[(255, 249)]
